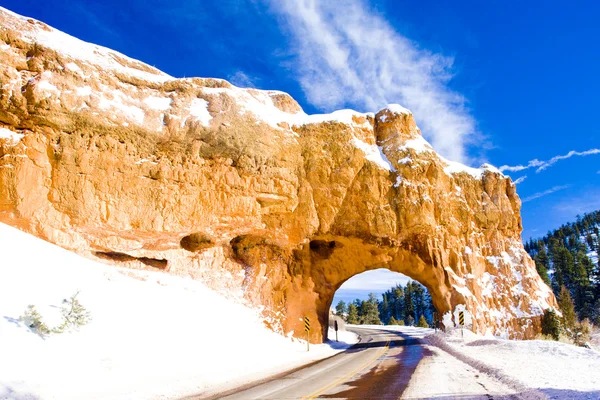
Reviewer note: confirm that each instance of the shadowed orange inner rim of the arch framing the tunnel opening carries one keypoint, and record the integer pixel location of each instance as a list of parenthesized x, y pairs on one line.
[(325, 264)]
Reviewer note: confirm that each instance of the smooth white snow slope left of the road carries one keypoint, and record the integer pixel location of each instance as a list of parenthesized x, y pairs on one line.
[(152, 335)]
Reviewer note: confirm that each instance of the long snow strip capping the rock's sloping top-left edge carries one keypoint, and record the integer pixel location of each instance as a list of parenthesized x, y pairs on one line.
[(70, 46)]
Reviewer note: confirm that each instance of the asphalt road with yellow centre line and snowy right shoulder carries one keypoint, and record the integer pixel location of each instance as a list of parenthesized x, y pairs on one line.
[(385, 364)]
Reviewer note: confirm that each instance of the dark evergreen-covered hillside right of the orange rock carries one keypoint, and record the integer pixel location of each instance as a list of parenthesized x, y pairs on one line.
[(569, 256)]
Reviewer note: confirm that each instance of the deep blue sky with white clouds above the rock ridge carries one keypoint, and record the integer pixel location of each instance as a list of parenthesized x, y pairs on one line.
[(505, 82)]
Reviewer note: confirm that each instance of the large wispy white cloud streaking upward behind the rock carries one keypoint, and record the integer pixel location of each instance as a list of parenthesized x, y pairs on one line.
[(351, 56)]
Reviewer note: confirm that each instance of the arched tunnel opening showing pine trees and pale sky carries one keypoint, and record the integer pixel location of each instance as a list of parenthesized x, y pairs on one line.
[(382, 297)]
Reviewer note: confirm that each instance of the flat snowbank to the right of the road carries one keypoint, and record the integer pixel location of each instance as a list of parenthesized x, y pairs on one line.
[(538, 368)]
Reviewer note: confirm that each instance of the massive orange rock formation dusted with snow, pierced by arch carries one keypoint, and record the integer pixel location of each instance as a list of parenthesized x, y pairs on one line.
[(106, 156)]
